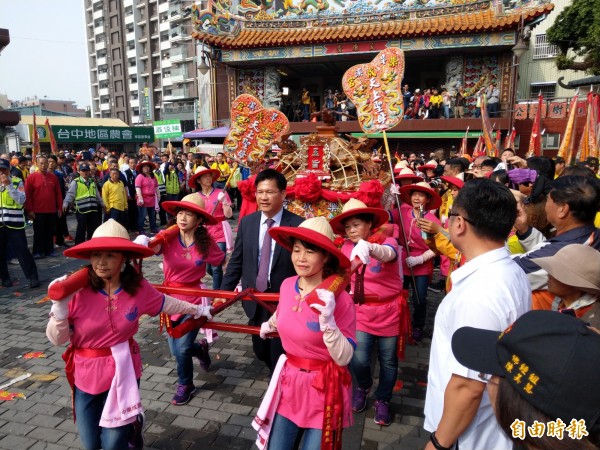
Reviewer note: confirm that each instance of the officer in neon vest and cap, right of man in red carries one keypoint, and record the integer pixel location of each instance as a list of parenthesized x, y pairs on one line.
[(83, 192)]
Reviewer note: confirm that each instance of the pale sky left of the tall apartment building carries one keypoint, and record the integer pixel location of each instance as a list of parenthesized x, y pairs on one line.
[(47, 54)]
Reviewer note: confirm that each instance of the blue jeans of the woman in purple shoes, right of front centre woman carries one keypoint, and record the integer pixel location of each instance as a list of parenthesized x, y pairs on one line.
[(360, 365)]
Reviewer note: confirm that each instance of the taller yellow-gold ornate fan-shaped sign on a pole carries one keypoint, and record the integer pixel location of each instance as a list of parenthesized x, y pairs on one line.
[(375, 90)]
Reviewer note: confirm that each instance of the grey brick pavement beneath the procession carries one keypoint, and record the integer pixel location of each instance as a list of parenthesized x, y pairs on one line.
[(219, 415)]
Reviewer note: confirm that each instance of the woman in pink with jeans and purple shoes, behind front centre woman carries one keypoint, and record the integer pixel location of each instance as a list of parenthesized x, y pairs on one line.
[(377, 322)]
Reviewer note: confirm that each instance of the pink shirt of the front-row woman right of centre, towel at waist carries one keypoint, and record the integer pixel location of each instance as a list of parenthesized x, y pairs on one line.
[(301, 336)]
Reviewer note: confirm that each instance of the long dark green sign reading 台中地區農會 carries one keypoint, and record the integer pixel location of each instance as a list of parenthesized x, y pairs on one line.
[(70, 134)]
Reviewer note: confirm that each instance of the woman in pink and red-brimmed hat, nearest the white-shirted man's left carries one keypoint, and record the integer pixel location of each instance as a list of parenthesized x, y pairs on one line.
[(417, 202)]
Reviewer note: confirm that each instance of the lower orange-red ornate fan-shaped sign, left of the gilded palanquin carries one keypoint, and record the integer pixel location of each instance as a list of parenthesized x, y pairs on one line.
[(253, 129)]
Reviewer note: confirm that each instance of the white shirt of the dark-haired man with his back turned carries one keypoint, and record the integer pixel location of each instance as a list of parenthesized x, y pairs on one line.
[(490, 292)]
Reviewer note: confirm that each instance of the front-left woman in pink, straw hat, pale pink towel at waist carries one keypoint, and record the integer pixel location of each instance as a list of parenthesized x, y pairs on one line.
[(103, 361)]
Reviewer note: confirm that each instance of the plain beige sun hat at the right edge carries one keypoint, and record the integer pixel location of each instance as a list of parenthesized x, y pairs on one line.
[(575, 265)]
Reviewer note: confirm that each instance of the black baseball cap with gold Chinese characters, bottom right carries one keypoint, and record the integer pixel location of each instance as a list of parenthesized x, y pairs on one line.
[(550, 359)]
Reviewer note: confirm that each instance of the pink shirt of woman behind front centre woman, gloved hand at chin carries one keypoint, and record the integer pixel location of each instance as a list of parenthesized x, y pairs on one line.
[(382, 279)]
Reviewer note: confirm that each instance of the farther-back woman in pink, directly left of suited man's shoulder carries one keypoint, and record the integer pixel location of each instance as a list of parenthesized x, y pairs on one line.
[(217, 204)]
